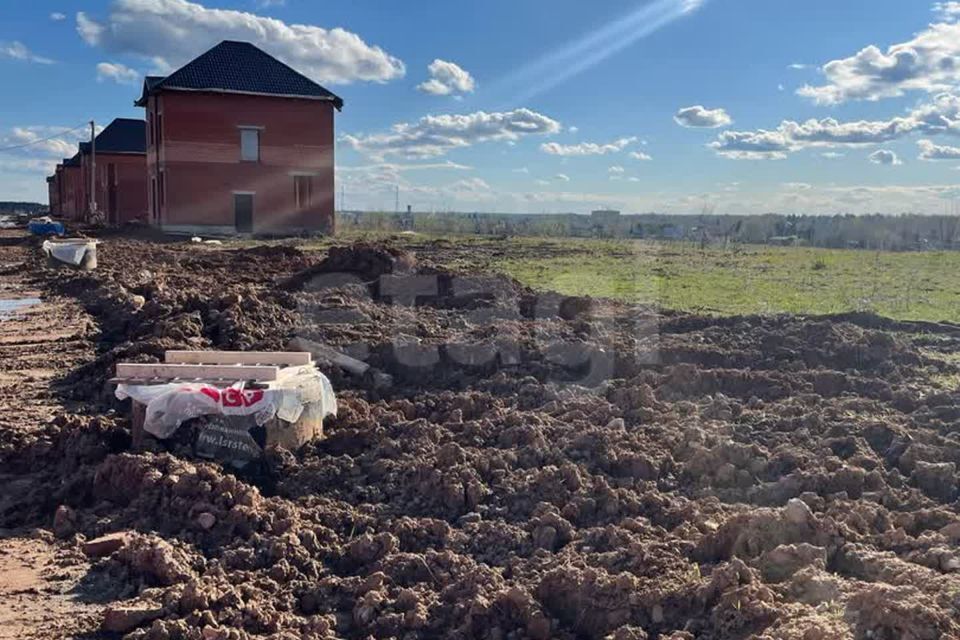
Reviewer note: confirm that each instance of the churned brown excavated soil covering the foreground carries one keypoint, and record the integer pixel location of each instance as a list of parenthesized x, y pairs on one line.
[(514, 465)]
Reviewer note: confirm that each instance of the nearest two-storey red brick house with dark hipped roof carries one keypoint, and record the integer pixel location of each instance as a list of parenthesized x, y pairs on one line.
[(238, 142)]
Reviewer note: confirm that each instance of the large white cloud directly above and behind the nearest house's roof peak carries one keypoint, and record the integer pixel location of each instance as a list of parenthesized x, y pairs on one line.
[(172, 32)]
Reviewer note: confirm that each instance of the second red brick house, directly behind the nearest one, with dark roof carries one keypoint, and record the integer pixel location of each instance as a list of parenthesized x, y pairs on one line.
[(121, 172)]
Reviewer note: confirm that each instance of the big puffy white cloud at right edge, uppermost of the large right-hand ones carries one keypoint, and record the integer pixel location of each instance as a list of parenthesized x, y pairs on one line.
[(929, 62)]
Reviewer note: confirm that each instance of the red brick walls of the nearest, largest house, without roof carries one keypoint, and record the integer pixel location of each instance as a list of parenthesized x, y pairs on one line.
[(194, 166)]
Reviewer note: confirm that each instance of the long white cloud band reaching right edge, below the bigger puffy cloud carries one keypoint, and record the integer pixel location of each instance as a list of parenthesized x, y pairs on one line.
[(942, 115)]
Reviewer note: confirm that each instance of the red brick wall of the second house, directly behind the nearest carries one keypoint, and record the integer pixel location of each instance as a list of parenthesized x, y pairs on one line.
[(129, 184)]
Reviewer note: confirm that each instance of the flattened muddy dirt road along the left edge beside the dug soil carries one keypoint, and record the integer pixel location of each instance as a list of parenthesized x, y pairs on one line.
[(40, 341)]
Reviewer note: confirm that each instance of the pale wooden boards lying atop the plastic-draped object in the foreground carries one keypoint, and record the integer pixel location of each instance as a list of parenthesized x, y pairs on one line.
[(215, 367)]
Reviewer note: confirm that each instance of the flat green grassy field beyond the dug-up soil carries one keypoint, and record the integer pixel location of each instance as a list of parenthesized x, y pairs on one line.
[(742, 279)]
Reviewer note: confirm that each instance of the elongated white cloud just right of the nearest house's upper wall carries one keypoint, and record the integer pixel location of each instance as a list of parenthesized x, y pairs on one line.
[(435, 135)]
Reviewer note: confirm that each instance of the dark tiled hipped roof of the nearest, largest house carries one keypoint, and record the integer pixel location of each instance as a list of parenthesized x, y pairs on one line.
[(238, 67)]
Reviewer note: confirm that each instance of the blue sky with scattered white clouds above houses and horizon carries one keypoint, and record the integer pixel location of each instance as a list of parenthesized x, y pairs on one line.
[(673, 106)]
